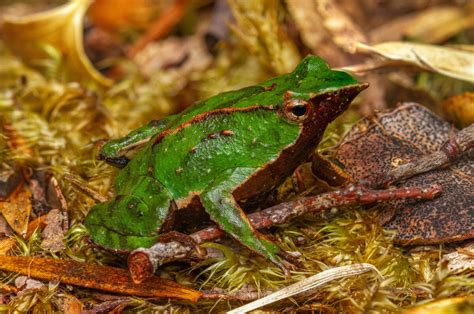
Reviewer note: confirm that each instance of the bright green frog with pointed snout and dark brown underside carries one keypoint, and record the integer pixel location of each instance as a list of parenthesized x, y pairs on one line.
[(226, 149)]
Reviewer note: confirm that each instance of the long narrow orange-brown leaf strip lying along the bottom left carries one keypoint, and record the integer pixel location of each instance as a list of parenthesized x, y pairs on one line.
[(95, 277)]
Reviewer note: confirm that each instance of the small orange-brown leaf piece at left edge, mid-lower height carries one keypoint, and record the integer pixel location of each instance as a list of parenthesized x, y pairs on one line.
[(16, 210)]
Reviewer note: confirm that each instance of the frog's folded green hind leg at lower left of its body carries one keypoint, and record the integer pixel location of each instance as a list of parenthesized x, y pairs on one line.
[(132, 219)]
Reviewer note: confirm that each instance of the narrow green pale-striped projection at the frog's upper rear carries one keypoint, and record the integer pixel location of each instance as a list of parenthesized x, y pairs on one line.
[(113, 152)]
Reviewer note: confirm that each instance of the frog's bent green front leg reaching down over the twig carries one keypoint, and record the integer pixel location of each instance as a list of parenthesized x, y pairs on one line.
[(221, 205)]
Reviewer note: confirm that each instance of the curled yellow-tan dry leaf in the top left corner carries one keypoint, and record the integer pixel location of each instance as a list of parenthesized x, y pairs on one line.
[(61, 28)]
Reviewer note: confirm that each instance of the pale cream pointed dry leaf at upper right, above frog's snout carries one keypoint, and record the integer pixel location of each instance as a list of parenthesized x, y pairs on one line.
[(448, 61)]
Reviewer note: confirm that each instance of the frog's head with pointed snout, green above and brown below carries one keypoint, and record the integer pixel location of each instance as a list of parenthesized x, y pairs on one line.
[(319, 96)]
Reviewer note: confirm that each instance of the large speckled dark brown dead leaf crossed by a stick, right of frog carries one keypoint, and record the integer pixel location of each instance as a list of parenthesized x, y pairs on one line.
[(381, 143)]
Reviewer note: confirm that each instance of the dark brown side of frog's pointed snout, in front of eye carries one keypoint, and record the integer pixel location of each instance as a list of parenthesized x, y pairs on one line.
[(330, 104)]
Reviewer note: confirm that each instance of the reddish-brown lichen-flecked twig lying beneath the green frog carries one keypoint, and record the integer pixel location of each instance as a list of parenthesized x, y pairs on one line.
[(143, 262)]
